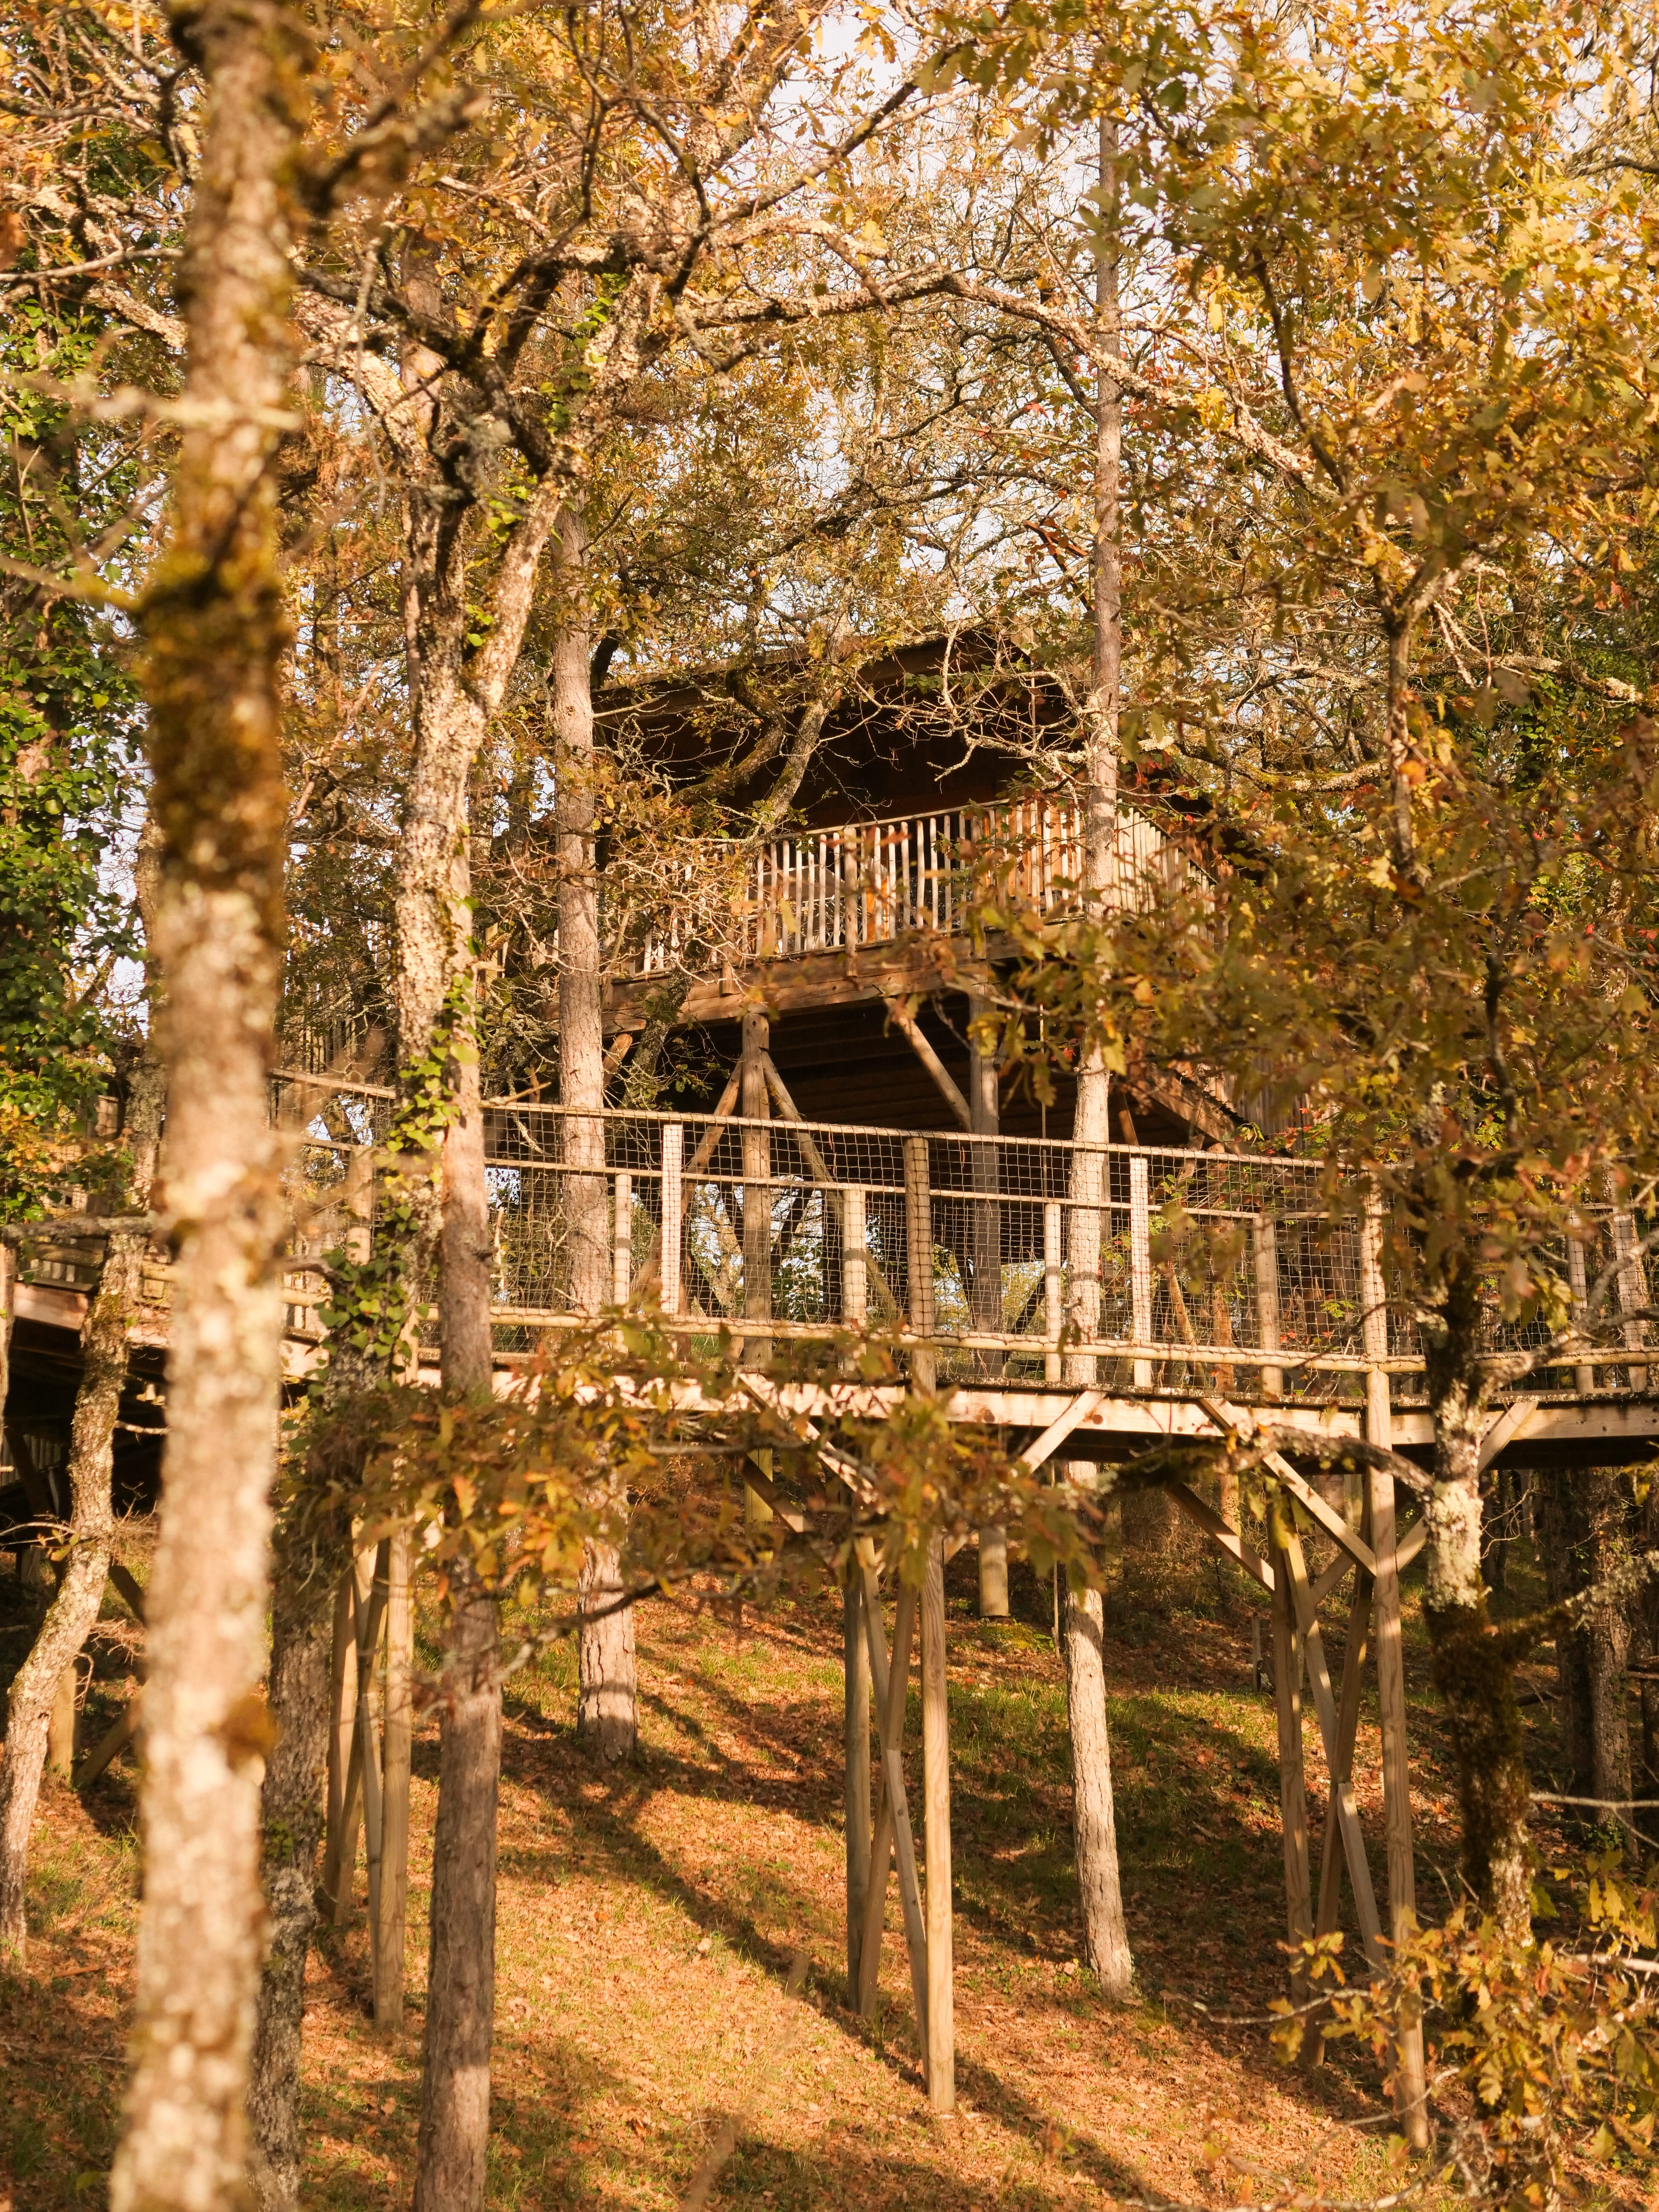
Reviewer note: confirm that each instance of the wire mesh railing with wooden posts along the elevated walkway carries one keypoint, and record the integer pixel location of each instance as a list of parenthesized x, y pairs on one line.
[(1021, 1260)]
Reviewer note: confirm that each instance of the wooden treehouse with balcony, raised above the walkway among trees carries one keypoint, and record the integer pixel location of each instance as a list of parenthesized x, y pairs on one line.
[(935, 782)]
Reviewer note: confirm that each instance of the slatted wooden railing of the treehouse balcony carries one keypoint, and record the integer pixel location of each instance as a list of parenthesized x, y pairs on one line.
[(868, 884)]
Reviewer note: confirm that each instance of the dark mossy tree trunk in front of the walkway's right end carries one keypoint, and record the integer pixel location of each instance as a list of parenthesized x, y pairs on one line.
[(1470, 1669)]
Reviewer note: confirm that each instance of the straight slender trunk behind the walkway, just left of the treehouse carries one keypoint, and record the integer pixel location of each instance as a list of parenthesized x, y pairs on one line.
[(607, 1707)]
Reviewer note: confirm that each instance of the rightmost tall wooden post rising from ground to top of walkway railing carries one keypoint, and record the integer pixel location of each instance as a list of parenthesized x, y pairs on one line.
[(1410, 2091)]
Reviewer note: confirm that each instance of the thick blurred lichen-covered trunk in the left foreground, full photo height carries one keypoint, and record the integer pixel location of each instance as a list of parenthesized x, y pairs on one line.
[(216, 638)]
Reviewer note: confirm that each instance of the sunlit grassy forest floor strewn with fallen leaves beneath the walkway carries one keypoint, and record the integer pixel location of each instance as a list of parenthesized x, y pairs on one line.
[(649, 1921)]
